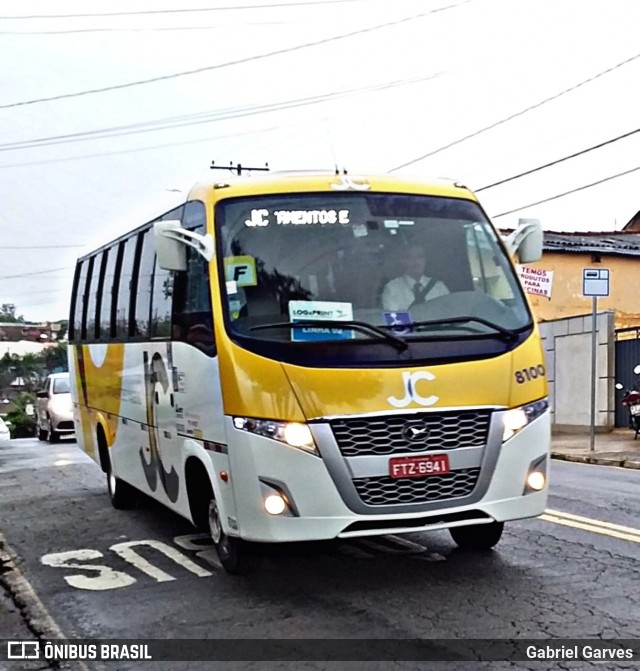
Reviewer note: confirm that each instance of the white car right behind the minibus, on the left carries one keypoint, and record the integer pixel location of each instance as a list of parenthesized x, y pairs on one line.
[(54, 409)]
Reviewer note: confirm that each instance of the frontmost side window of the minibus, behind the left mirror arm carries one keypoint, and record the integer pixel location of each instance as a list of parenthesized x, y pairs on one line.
[(192, 315)]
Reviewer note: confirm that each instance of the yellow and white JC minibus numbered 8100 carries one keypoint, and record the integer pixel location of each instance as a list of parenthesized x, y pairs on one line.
[(309, 356)]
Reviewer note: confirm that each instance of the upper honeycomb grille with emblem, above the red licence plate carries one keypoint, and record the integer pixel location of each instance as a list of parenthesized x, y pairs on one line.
[(399, 434)]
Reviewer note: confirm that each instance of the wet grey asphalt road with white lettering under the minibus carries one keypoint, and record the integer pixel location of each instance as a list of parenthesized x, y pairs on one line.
[(102, 573)]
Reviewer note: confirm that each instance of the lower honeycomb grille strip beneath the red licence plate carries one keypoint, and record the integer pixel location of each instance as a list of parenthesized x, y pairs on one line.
[(380, 491)]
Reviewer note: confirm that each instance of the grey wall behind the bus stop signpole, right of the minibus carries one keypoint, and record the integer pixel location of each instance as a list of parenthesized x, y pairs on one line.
[(567, 345)]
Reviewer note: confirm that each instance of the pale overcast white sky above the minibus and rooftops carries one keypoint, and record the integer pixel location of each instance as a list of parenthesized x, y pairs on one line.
[(111, 110)]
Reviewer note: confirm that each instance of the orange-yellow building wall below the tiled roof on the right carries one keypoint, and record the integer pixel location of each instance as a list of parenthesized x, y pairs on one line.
[(566, 295)]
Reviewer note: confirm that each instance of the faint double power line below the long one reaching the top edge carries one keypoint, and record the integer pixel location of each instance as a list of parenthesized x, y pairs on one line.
[(206, 117)]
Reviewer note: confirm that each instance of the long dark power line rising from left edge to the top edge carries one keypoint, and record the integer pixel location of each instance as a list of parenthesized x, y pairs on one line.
[(238, 61)]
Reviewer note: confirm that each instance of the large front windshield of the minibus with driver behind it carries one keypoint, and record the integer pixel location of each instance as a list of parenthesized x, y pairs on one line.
[(297, 266)]
